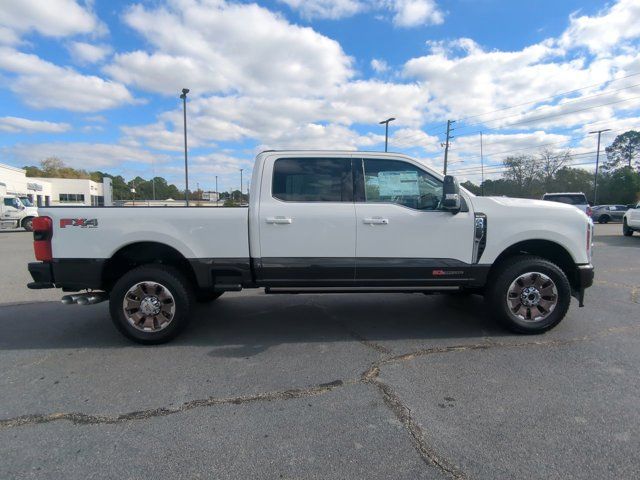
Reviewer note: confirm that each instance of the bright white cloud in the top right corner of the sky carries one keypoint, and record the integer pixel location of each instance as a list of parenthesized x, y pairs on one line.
[(608, 29)]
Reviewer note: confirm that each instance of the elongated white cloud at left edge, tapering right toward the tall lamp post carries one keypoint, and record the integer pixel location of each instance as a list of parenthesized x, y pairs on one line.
[(42, 84)]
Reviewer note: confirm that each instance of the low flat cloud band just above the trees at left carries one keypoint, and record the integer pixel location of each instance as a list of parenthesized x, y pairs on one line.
[(82, 155)]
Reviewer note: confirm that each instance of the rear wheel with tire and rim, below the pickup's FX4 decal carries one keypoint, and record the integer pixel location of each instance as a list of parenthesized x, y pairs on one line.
[(151, 304)]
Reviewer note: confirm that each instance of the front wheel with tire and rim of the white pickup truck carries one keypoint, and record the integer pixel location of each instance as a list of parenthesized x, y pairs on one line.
[(529, 294)]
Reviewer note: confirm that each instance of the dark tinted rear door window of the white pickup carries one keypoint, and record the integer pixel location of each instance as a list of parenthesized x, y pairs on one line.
[(313, 180)]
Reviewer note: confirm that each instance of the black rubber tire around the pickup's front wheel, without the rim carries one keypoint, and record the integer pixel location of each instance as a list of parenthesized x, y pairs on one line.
[(513, 270)]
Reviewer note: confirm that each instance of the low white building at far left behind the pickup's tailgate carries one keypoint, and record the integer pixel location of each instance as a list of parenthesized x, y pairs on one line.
[(55, 191)]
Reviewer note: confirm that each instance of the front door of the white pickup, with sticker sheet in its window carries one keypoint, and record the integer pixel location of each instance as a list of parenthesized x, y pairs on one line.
[(403, 235)]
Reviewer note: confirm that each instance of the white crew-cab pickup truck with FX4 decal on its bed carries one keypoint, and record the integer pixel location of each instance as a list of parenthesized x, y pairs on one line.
[(320, 222)]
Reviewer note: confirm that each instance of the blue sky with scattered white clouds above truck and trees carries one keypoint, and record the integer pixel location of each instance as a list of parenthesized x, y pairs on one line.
[(96, 83)]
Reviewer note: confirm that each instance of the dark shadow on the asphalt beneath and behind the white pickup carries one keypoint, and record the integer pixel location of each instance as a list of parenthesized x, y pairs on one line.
[(243, 325)]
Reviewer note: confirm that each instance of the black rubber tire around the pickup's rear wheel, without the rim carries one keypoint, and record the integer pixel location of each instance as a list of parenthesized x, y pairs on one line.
[(171, 279)]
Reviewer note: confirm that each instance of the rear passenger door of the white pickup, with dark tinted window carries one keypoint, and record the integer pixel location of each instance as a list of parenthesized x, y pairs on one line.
[(307, 222)]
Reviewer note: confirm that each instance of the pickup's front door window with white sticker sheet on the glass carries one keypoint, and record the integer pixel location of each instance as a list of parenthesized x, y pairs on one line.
[(393, 181)]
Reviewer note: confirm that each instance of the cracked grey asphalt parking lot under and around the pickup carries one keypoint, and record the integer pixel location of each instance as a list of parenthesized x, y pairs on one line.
[(323, 386)]
